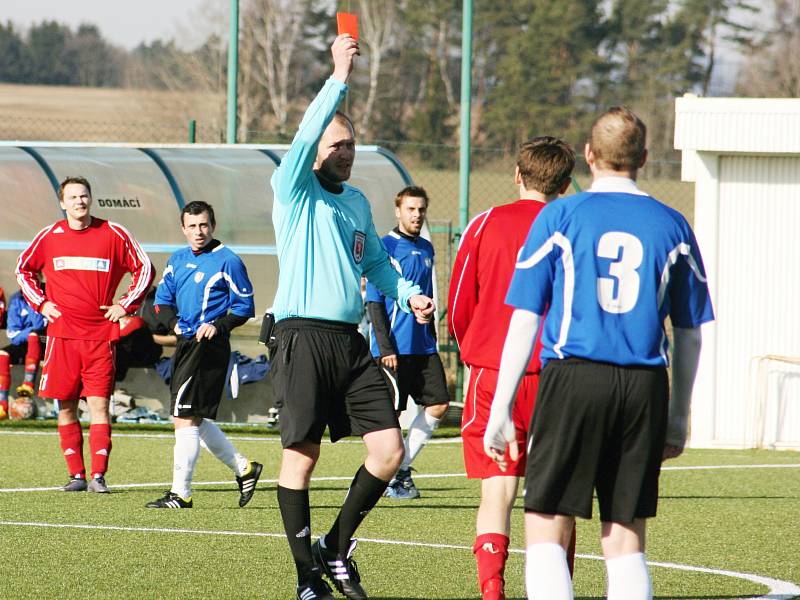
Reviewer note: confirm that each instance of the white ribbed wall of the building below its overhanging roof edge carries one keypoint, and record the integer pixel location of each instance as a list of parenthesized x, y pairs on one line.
[(757, 297)]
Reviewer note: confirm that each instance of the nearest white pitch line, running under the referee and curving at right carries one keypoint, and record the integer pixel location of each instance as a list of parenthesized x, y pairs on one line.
[(778, 589)]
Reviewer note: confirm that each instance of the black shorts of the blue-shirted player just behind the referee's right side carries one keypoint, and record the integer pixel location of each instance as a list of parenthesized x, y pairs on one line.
[(420, 376)]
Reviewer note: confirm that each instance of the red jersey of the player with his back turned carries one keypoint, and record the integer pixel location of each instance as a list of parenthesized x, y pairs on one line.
[(477, 314)]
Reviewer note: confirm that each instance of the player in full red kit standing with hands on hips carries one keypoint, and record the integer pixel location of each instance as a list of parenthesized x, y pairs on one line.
[(83, 259)]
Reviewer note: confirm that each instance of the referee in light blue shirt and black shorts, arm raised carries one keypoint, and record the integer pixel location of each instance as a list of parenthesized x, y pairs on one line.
[(322, 372)]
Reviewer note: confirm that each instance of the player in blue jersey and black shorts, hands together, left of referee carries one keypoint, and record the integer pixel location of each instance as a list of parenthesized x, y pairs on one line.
[(203, 294)]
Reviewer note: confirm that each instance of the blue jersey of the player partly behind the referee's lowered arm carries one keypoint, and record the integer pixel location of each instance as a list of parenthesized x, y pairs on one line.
[(413, 259)]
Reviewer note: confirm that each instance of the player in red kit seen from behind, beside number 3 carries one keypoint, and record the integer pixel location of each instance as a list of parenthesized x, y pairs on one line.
[(478, 317)]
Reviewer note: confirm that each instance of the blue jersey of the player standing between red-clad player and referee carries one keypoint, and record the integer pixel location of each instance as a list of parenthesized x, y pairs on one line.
[(205, 286)]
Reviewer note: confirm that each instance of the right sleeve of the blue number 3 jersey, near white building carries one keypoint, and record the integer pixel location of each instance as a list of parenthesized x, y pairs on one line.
[(690, 302)]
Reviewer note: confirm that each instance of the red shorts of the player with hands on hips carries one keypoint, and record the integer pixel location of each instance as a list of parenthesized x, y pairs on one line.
[(77, 368)]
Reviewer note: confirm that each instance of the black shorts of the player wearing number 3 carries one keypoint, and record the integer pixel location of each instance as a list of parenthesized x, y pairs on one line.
[(597, 426)]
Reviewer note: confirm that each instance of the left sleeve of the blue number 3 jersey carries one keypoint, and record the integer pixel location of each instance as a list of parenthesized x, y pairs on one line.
[(531, 285)]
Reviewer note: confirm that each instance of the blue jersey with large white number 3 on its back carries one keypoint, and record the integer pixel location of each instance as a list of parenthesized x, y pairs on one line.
[(609, 267)]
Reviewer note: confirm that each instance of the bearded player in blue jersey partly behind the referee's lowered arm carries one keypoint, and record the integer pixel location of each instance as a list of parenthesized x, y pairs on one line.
[(406, 350)]
